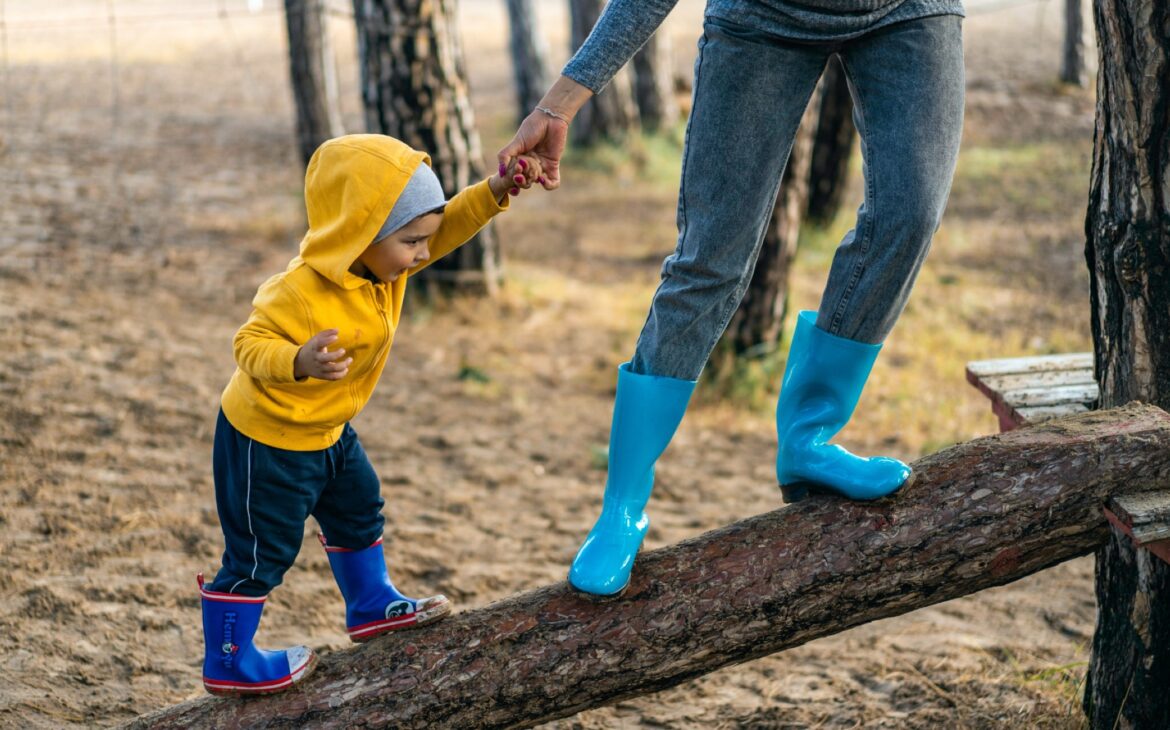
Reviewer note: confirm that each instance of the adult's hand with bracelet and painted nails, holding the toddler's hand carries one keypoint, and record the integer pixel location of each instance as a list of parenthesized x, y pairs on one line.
[(543, 135)]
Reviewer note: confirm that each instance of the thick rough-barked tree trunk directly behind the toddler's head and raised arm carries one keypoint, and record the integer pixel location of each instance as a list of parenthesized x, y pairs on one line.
[(415, 88)]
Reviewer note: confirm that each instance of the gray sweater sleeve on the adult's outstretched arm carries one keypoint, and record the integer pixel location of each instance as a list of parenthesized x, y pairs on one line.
[(623, 29)]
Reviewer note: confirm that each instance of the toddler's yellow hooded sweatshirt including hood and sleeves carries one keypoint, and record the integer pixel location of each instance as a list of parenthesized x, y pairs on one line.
[(350, 188)]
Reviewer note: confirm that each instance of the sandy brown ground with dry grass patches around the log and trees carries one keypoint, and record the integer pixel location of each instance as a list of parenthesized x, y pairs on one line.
[(133, 236)]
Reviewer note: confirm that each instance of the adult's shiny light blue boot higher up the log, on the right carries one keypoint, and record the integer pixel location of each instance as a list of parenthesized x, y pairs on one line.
[(823, 382)]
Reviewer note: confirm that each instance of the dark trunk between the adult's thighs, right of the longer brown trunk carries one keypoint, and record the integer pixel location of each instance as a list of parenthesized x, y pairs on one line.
[(832, 147)]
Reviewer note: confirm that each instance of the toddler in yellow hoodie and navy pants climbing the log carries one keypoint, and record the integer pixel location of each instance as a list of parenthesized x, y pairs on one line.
[(308, 360)]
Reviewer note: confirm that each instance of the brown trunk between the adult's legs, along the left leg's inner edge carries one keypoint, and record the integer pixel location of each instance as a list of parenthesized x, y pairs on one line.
[(758, 323)]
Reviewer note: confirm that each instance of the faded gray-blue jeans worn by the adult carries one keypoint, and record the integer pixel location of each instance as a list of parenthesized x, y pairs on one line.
[(751, 92)]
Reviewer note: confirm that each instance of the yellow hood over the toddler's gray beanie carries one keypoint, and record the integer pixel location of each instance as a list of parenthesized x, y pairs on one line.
[(350, 188)]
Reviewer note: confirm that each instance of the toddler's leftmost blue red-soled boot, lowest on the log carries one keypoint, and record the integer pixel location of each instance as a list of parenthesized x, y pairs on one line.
[(232, 664)]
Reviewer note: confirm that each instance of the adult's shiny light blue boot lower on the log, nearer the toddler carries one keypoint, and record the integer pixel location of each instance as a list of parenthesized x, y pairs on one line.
[(646, 412)]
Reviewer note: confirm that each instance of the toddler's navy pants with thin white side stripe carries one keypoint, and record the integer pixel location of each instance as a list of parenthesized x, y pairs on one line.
[(265, 494)]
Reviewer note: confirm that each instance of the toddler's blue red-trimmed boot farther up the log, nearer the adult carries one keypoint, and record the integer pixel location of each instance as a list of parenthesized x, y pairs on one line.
[(374, 607)]
